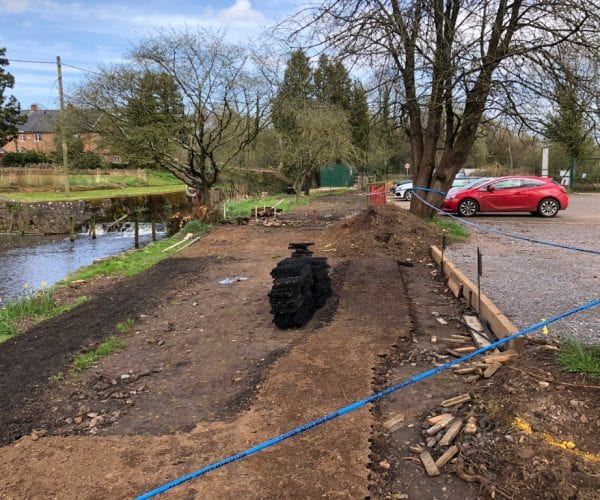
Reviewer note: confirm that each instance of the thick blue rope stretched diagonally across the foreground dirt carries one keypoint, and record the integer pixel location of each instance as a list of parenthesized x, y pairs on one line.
[(358, 404)]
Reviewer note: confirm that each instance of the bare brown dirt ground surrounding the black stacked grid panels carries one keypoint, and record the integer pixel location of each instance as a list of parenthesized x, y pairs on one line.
[(206, 374)]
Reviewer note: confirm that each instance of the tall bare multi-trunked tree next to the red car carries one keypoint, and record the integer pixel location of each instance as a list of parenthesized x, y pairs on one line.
[(460, 62)]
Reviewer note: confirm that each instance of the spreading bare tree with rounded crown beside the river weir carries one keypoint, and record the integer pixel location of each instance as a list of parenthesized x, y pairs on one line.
[(191, 101)]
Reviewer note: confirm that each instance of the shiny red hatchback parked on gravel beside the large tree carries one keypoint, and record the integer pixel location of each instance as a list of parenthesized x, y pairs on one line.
[(538, 195)]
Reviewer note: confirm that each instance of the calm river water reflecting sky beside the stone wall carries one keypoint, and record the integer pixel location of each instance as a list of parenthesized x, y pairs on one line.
[(27, 261)]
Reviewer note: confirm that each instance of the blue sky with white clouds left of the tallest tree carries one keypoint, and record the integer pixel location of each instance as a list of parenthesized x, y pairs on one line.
[(91, 33)]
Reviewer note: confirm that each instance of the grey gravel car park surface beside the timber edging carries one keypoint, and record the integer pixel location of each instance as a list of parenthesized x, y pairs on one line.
[(529, 281)]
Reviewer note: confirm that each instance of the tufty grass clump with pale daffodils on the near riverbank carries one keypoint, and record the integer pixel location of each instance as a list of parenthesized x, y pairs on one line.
[(32, 307)]
